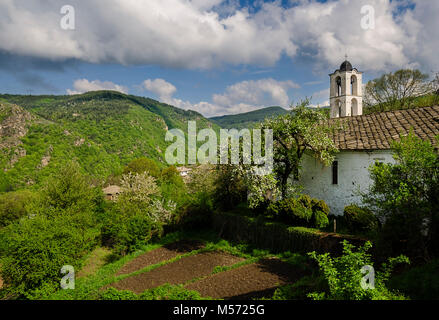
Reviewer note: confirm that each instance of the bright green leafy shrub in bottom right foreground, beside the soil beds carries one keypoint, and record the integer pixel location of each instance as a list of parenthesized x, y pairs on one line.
[(344, 275)]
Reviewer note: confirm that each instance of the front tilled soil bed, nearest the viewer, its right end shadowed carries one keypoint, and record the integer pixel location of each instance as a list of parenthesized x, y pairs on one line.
[(256, 280)]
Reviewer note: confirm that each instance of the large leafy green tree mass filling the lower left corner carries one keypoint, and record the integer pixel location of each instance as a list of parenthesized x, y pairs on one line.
[(59, 229)]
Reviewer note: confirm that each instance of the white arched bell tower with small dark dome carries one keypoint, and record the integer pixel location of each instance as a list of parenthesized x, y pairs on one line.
[(346, 91)]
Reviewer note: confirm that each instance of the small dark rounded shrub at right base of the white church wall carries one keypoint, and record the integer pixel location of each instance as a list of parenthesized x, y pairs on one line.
[(360, 220)]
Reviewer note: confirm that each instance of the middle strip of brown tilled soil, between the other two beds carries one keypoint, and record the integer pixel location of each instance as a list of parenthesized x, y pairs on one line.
[(178, 272)]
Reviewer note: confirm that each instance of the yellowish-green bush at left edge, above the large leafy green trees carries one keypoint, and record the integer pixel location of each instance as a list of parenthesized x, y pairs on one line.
[(13, 205)]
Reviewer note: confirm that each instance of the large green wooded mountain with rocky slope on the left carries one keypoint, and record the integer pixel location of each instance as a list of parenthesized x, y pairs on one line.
[(102, 130)]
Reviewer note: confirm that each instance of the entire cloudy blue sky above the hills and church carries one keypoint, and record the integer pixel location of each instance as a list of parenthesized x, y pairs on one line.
[(216, 57)]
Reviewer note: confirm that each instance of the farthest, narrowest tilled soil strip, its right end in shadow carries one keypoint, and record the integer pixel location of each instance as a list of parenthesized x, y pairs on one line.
[(160, 254)]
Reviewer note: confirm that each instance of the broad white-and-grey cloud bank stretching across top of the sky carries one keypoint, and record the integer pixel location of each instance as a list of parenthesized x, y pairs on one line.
[(208, 33)]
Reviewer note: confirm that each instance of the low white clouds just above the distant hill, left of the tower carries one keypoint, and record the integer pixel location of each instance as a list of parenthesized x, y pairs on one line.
[(240, 97)]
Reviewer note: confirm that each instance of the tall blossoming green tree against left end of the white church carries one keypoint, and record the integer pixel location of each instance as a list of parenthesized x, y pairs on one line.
[(302, 130)]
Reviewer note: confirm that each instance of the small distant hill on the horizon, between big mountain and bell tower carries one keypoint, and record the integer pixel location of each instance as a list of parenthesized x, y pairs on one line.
[(249, 119)]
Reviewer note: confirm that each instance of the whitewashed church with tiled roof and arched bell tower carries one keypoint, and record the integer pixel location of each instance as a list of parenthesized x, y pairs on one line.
[(364, 140)]
